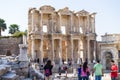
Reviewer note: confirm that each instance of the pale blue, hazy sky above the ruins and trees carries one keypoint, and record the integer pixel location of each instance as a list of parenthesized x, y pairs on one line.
[(107, 17)]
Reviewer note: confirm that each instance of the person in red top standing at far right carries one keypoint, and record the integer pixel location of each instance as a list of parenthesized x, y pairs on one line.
[(114, 70)]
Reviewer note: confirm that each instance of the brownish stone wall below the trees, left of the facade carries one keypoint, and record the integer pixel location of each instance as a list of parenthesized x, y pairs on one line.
[(10, 46)]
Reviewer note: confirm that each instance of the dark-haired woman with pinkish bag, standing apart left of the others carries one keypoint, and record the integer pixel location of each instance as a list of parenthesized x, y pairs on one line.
[(48, 70)]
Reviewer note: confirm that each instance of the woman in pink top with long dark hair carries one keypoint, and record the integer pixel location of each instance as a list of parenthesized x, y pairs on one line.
[(85, 72)]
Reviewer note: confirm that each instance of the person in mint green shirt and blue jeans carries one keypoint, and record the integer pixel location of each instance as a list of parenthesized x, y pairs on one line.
[(98, 70)]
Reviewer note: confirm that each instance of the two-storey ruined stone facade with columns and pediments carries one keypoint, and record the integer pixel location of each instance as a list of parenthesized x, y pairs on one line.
[(61, 35)]
